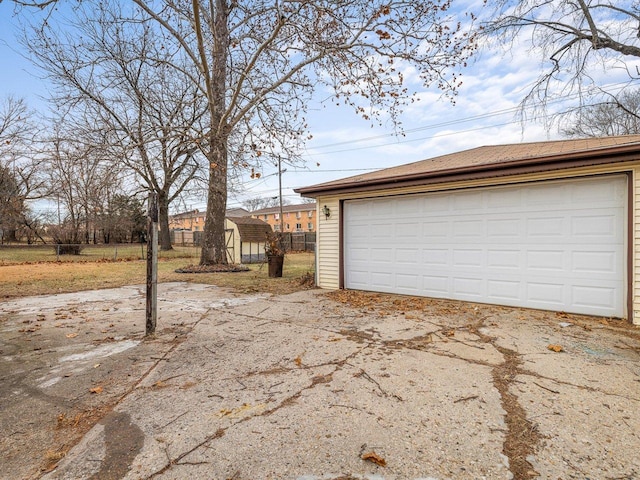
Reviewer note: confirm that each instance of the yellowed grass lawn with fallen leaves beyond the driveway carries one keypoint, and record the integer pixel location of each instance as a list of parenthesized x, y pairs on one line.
[(34, 276)]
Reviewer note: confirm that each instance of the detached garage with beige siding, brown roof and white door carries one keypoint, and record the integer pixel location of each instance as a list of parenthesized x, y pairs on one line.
[(551, 225)]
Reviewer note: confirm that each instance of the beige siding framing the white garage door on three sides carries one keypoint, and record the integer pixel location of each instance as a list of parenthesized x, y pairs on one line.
[(328, 255)]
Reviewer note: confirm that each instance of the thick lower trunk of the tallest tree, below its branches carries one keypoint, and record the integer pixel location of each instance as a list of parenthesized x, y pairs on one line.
[(214, 249)]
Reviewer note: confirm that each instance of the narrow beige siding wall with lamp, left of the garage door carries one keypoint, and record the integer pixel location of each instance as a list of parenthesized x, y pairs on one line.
[(328, 244)]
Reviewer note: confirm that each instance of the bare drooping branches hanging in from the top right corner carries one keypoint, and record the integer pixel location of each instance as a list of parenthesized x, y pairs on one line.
[(575, 40)]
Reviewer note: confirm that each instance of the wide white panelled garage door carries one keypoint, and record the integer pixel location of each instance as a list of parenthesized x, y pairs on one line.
[(551, 245)]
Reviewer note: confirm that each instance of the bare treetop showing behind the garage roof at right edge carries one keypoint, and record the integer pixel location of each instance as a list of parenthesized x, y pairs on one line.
[(618, 116)]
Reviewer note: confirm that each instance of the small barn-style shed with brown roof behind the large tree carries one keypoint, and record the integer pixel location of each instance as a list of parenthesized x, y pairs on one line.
[(246, 238)]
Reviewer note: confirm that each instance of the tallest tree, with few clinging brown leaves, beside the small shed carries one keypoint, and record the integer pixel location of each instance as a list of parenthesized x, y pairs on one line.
[(260, 62)]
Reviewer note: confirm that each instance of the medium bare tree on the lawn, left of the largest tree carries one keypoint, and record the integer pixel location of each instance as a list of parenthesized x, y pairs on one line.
[(117, 77)]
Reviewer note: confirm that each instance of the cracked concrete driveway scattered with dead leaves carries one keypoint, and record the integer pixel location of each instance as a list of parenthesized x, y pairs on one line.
[(313, 386)]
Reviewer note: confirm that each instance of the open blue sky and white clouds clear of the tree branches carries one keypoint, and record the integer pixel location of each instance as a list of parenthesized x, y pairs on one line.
[(343, 144)]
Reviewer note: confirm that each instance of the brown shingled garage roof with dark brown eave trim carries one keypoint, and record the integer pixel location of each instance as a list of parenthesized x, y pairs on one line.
[(487, 161)]
